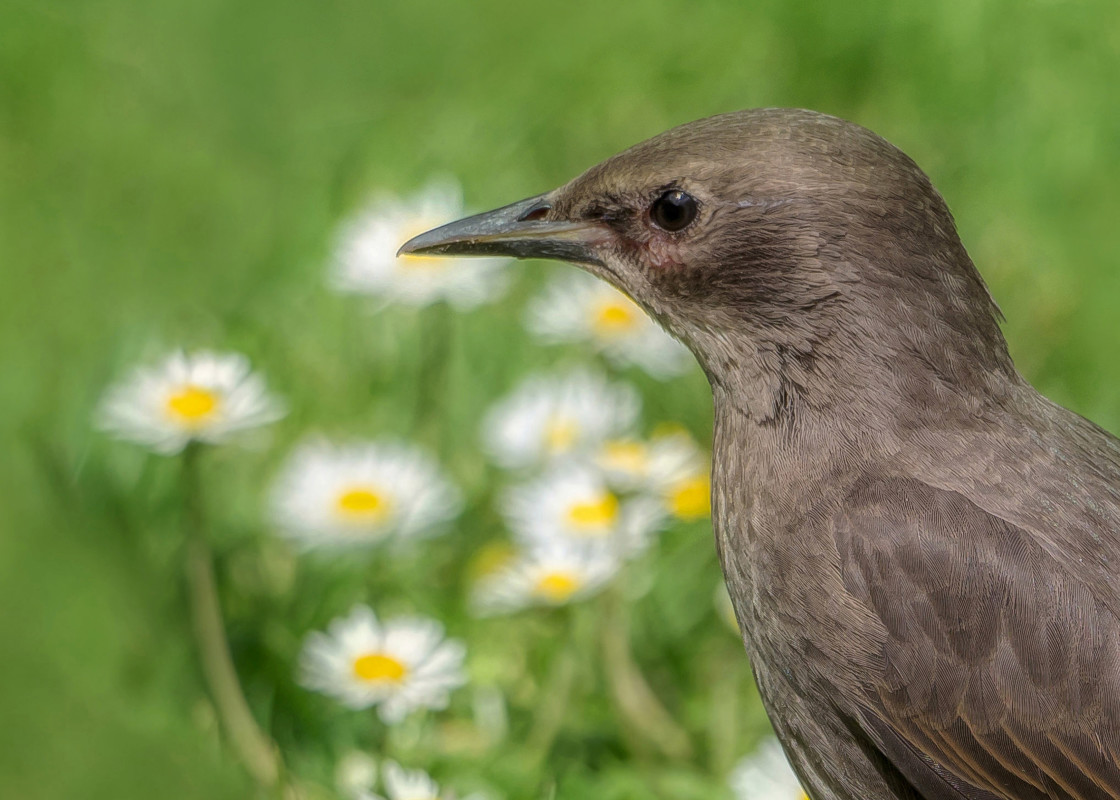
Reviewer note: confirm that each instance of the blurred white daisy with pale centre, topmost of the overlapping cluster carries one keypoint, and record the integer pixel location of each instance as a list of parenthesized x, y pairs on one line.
[(548, 418)]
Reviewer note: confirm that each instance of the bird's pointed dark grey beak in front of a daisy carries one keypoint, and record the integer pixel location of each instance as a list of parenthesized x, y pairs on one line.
[(517, 230)]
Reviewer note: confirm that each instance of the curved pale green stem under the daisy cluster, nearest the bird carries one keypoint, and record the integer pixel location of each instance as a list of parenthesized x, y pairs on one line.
[(636, 701)]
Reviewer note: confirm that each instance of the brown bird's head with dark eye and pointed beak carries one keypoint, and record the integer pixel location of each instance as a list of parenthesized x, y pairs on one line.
[(789, 250)]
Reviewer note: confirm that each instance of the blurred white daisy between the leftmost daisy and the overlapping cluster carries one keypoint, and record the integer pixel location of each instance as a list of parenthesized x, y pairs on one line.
[(341, 497)]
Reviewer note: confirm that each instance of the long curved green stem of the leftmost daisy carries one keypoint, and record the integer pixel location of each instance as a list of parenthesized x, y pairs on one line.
[(256, 750)]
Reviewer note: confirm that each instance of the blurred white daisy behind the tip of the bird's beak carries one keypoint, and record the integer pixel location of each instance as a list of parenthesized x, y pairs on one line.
[(366, 258)]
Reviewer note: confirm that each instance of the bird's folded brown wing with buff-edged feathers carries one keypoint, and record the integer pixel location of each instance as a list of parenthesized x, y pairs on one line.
[(1001, 672)]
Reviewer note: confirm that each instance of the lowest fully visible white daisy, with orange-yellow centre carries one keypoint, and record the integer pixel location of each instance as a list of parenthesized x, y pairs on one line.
[(398, 666)]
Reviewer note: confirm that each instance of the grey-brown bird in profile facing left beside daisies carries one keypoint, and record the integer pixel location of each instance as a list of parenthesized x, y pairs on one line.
[(922, 551)]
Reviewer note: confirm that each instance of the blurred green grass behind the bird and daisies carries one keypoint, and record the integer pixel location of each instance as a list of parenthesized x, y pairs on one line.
[(174, 174)]
